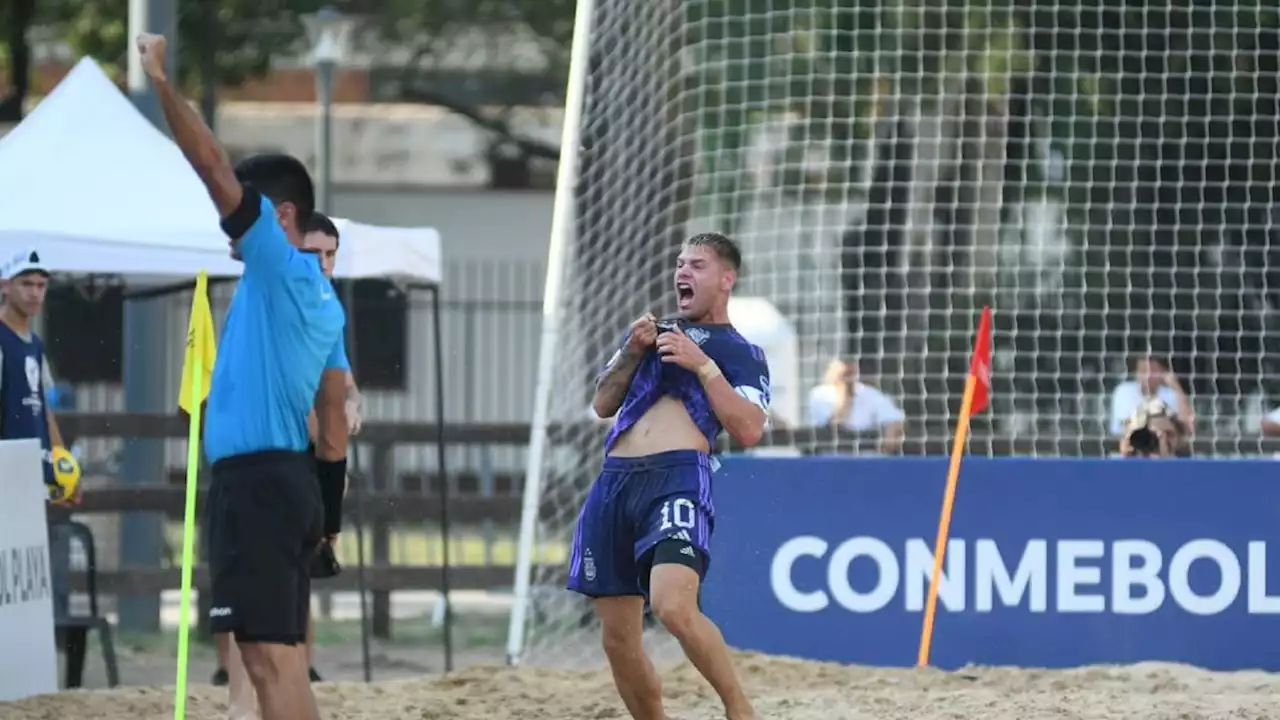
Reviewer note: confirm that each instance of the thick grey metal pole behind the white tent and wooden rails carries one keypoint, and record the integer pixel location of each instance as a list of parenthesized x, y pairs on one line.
[(145, 352)]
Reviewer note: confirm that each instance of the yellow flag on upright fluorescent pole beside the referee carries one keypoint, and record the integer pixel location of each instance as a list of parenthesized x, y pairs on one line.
[(198, 371)]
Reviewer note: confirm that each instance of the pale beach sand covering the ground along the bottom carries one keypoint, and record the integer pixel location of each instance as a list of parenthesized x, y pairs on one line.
[(785, 690)]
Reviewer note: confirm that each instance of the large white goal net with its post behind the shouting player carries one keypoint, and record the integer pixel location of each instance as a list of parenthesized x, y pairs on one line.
[(1103, 175)]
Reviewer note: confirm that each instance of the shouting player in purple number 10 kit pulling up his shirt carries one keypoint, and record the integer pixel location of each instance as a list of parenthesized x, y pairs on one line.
[(648, 520)]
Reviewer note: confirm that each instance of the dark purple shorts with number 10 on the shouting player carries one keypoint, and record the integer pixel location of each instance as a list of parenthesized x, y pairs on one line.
[(636, 504)]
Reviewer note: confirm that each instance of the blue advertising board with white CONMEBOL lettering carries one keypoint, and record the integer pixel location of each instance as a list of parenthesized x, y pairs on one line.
[(1052, 563)]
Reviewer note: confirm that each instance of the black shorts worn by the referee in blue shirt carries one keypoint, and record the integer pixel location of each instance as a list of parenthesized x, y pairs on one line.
[(266, 518)]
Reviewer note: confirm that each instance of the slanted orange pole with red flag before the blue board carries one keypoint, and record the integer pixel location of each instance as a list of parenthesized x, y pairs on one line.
[(977, 398)]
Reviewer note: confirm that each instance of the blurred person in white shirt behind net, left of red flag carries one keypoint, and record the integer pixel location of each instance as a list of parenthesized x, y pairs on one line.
[(845, 402)]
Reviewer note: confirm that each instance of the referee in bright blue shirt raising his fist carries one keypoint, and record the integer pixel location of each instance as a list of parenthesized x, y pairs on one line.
[(271, 505)]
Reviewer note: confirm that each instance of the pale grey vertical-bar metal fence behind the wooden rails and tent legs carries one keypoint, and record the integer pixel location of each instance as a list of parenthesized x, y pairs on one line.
[(491, 316)]
